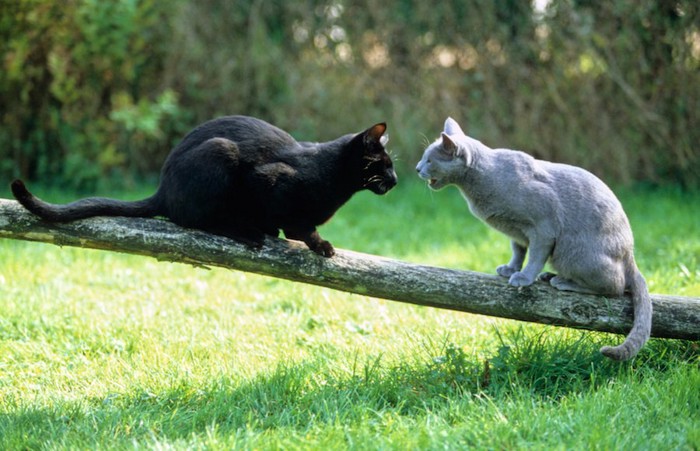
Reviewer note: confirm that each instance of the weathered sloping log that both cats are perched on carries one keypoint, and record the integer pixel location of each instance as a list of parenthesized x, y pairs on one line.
[(674, 316)]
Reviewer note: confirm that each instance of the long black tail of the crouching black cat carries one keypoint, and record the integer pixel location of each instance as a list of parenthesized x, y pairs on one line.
[(84, 208)]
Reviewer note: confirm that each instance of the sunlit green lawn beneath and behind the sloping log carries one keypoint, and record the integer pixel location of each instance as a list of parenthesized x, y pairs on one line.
[(111, 351)]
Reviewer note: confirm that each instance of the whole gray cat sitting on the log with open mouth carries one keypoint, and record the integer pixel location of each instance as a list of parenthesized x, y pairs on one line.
[(557, 212)]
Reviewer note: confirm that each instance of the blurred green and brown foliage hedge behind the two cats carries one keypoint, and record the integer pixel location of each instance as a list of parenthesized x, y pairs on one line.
[(99, 90)]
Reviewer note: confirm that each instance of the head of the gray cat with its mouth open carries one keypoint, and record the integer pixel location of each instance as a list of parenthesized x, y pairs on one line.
[(444, 161)]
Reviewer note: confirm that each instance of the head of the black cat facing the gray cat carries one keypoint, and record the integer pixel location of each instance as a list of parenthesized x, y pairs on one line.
[(378, 173)]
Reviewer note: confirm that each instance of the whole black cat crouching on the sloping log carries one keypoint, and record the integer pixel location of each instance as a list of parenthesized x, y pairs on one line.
[(243, 178)]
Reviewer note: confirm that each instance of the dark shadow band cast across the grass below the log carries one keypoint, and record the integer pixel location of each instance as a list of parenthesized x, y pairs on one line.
[(312, 395)]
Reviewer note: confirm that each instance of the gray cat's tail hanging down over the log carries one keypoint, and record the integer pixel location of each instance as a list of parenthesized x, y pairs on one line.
[(641, 328)]
